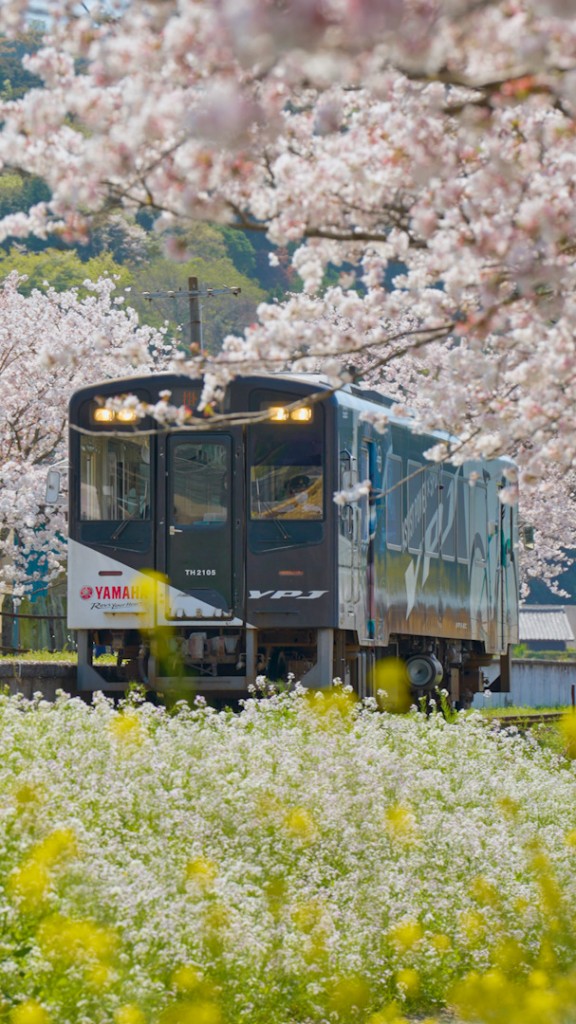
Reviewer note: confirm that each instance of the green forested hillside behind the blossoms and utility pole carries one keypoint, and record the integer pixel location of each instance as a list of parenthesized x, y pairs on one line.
[(135, 254)]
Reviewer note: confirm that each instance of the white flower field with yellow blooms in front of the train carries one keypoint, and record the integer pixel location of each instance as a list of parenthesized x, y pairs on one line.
[(306, 861)]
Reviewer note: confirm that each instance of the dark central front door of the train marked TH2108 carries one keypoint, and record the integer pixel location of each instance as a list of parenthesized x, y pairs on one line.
[(202, 538)]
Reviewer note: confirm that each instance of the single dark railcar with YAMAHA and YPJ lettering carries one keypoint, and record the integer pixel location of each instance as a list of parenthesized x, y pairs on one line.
[(214, 553)]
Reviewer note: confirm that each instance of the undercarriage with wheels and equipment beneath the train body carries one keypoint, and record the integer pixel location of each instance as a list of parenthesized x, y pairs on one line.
[(220, 662)]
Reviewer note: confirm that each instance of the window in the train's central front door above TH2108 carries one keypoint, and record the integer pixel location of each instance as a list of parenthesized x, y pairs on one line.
[(200, 483)]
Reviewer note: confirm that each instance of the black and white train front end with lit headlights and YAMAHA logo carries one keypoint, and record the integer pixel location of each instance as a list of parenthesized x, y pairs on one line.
[(201, 558)]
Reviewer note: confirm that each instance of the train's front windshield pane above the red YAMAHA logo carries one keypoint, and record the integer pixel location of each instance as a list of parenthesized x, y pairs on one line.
[(114, 479)]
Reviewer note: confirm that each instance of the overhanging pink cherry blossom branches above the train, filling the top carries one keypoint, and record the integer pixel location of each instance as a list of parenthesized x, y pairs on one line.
[(426, 151)]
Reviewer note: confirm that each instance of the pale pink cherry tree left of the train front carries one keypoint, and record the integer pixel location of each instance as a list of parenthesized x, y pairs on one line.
[(50, 346)]
